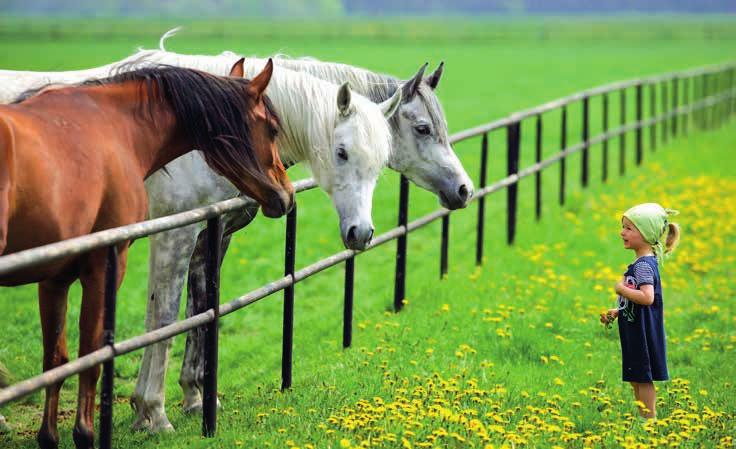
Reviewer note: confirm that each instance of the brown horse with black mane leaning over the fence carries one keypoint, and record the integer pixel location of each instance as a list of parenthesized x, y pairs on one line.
[(73, 161)]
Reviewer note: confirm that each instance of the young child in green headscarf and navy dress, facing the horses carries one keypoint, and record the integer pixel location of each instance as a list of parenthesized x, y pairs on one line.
[(647, 231)]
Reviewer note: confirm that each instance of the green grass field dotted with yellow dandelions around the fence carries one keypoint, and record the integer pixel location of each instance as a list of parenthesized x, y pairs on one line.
[(508, 354)]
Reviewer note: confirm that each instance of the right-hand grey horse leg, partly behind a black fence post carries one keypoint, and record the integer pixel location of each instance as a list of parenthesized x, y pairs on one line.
[(191, 377)]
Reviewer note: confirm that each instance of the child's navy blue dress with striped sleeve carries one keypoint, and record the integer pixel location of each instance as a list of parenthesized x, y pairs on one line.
[(641, 328)]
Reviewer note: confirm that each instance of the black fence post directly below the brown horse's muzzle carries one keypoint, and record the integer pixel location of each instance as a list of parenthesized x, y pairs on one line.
[(288, 322)]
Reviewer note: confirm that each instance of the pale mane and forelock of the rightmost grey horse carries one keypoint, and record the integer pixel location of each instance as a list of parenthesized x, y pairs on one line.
[(376, 86)]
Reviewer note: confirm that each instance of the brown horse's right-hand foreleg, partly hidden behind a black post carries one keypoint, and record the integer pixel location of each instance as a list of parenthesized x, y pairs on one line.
[(92, 277)]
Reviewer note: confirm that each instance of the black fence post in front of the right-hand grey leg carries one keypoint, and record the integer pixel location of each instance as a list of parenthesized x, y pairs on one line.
[(212, 292)]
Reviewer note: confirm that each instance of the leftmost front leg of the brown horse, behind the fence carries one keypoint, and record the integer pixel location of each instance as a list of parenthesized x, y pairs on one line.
[(52, 301)]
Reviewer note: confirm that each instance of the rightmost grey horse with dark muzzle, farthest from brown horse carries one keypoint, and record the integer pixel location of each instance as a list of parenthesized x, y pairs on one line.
[(421, 152)]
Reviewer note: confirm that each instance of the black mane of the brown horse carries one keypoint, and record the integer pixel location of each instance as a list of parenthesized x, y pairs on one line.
[(211, 110)]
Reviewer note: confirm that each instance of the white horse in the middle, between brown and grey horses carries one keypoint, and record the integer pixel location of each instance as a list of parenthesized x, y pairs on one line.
[(343, 138)]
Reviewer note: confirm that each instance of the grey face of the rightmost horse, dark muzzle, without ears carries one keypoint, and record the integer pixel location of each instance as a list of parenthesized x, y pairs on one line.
[(424, 155)]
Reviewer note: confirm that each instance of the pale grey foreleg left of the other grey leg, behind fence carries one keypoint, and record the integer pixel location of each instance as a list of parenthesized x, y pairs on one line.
[(169, 255)]
